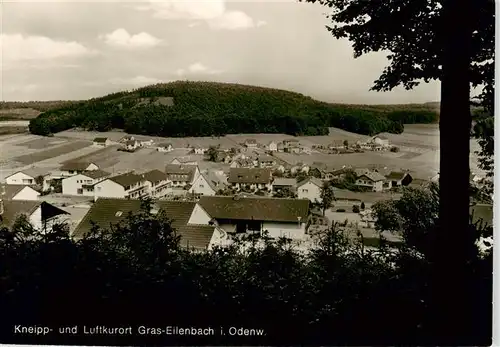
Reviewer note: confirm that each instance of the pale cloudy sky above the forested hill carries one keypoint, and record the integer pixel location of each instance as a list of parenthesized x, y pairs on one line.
[(66, 50)]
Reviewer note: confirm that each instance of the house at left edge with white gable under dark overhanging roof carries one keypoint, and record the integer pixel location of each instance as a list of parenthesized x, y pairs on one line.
[(40, 214)]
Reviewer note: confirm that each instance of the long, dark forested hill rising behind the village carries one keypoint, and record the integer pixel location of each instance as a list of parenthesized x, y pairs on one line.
[(179, 109)]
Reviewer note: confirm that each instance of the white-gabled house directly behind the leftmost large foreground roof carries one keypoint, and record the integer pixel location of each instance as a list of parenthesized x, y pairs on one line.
[(128, 185)]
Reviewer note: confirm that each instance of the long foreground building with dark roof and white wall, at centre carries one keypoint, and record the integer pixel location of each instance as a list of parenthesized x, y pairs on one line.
[(242, 215)]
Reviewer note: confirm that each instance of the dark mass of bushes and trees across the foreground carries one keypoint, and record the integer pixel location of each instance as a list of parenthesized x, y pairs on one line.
[(136, 274)]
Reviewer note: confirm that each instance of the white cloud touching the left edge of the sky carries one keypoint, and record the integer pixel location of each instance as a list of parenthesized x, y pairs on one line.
[(18, 48)]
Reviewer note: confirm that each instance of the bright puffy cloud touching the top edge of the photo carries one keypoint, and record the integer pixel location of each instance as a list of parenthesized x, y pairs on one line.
[(213, 12)]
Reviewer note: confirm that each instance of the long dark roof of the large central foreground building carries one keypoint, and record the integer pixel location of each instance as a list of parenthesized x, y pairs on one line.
[(257, 208)]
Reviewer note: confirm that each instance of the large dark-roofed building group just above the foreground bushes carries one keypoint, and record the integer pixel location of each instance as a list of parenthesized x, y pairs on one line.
[(212, 220)]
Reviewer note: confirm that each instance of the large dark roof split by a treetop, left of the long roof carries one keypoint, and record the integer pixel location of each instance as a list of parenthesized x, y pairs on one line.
[(105, 212)]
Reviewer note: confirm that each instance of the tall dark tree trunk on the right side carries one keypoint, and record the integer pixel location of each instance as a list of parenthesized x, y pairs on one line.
[(452, 243)]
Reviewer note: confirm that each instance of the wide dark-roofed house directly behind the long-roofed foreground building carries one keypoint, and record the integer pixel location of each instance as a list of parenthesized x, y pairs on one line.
[(252, 179)]
